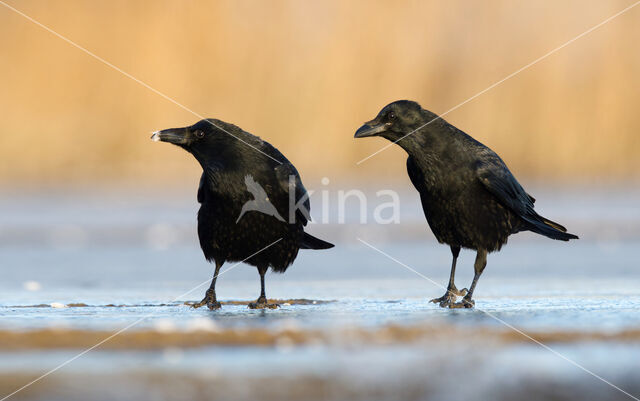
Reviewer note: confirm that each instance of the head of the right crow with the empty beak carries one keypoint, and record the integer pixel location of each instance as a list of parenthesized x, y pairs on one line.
[(394, 121)]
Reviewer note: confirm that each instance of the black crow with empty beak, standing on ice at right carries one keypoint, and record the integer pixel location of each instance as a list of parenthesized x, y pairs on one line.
[(469, 197)]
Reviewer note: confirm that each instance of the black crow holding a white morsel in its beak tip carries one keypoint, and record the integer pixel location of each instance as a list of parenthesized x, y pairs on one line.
[(238, 167)]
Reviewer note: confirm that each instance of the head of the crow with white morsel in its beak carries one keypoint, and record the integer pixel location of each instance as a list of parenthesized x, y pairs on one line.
[(206, 139)]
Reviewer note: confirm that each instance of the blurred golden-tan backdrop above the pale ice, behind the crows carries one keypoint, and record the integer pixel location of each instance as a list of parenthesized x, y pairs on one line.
[(305, 75)]
